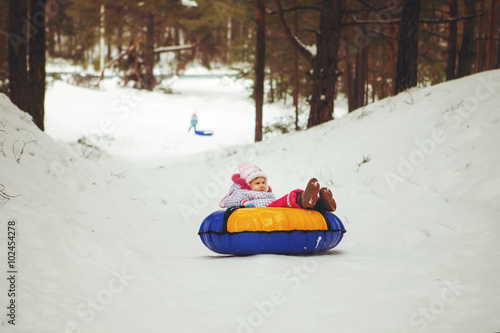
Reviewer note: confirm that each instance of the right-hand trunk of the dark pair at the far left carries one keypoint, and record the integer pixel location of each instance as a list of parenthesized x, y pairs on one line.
[(36, 75)]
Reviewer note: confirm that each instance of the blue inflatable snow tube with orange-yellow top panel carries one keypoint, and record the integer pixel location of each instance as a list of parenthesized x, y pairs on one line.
[(248, 231)]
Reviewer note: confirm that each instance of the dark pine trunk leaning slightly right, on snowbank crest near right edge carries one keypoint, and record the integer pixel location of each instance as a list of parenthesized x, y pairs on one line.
[(466, 54)]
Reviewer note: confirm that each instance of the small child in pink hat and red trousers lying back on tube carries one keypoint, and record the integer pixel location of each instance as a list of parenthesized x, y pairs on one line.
[(250, 189)]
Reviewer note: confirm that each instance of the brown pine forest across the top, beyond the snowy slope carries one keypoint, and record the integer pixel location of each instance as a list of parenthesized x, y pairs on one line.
[(309, 51)]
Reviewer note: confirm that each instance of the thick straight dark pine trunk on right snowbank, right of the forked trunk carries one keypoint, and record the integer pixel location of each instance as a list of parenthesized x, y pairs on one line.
[(407, 64)]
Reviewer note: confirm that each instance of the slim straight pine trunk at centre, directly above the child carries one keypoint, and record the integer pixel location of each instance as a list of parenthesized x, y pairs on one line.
[(260, 59)]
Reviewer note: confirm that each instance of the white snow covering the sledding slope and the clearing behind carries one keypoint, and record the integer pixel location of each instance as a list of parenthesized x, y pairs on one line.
[(106, 239)]
